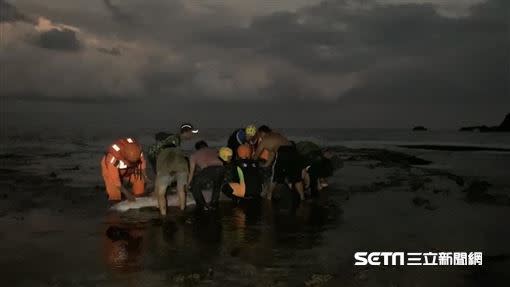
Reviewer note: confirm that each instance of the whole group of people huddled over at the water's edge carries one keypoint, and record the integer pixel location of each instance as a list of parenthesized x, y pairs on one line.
[(251, 165)]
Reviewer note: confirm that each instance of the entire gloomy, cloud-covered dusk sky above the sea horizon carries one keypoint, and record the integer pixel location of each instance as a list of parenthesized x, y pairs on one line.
[(287, 63)]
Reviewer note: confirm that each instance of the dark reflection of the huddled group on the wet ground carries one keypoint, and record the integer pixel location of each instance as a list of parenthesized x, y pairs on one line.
[(257, 234)]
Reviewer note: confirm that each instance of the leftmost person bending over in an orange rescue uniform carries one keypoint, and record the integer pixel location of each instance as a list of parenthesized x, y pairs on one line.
[(124, 163)]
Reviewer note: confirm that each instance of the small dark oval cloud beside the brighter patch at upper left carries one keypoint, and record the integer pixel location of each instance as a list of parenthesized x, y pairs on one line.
[(63, 39)]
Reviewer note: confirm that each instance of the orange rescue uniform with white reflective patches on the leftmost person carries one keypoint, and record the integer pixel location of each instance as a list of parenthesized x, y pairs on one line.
[(116, 170)]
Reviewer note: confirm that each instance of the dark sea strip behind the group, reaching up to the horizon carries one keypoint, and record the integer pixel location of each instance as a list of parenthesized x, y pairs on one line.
[(60, 150)]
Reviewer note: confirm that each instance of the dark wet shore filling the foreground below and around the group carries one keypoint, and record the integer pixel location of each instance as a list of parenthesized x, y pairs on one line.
[(55, 233)]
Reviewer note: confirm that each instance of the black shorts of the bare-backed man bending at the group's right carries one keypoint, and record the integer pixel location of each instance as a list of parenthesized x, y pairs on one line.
[(287, 166)]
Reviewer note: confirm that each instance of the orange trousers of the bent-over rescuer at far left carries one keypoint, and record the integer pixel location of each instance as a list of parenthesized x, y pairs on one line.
[(113, 180)]
